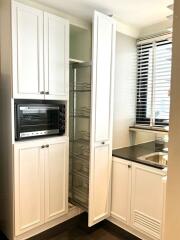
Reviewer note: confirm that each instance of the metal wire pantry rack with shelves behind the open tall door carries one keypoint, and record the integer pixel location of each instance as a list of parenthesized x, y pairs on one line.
[(80, 111)]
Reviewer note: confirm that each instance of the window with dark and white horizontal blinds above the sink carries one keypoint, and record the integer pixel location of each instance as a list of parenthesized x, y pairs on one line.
[(153, 80)]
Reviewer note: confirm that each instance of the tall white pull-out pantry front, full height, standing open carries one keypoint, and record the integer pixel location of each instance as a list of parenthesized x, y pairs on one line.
[(104, 35)]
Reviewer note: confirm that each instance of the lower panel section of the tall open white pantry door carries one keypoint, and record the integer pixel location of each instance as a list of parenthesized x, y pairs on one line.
[(100, 184)]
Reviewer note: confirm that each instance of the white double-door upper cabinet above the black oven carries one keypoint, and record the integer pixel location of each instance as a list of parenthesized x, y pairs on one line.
[(40, 54)]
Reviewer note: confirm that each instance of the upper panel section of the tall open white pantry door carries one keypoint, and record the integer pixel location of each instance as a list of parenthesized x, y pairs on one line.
[(104, 35)]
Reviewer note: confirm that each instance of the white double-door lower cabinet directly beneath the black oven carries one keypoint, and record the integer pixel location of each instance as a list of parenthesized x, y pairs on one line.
[(41, 182)]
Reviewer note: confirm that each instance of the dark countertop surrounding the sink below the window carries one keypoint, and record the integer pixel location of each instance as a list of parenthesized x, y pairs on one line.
[(133, 153)]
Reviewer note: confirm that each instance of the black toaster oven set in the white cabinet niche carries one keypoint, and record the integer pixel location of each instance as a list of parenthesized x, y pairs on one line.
[(35, 120)]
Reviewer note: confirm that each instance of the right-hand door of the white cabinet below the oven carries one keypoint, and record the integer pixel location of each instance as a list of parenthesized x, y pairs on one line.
[(56, 179)]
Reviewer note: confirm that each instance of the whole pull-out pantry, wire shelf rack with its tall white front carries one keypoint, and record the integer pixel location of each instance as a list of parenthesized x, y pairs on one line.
[(91, 111)]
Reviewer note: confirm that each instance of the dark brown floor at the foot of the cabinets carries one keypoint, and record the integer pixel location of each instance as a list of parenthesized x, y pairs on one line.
[(76, 229)]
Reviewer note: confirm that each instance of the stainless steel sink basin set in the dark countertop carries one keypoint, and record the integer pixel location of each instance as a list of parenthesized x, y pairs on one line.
[(157, 157)]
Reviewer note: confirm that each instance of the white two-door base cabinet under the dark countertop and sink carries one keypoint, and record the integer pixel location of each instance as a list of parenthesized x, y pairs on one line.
[(138, 198)]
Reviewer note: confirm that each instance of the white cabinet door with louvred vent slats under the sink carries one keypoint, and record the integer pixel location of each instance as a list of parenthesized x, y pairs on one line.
[(147, 200)]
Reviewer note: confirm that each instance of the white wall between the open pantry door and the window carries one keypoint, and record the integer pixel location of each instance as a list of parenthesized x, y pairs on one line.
[(124, 89)]
